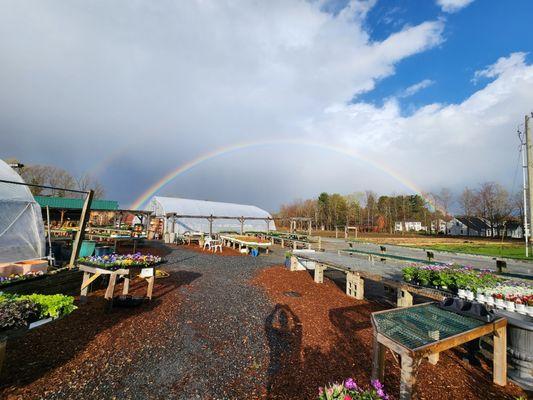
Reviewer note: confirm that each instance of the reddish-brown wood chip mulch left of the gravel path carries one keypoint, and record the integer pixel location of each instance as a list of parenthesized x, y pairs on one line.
[(91, 348)]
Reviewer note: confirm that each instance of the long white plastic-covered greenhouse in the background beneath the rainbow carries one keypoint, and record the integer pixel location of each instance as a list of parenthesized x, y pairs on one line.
[(162, 206)]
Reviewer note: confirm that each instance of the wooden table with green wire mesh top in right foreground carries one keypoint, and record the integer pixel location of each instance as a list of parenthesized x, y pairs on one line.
[(425, 330)]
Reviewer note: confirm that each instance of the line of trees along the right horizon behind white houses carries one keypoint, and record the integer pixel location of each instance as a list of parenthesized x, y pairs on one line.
[(372, 212)]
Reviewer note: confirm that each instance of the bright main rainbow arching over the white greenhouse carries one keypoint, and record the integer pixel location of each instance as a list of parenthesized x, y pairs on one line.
[(170, 176)]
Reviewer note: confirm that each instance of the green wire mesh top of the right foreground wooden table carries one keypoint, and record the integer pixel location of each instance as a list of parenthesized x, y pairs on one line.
[(413, 327)]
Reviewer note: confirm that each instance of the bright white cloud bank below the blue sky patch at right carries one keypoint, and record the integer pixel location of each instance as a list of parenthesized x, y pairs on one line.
[(445, 145)]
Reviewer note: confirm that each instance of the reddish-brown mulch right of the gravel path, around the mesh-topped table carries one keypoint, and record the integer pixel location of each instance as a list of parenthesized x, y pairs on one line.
[(325, 336)]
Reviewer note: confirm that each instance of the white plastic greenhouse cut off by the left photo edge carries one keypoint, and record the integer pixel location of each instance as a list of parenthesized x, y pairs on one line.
[(21, 222)]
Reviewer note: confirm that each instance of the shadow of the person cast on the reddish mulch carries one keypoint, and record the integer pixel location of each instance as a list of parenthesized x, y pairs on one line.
[(283, 330)]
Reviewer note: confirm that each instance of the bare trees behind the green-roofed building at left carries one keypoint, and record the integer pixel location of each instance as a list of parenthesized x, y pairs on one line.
[(47, 175)]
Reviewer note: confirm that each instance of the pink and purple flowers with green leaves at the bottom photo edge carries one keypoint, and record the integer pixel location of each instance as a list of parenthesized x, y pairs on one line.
[(349, 390)]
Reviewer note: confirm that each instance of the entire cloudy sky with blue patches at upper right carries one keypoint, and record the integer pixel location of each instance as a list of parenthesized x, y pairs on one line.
[(308, 96)]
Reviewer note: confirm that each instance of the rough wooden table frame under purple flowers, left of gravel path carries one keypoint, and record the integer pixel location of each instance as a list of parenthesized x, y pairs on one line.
[(91, 273)]
